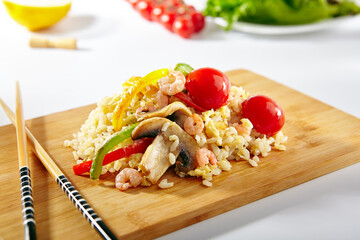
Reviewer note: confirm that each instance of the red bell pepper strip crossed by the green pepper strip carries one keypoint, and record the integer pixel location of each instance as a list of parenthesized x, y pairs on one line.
[(138, 146)]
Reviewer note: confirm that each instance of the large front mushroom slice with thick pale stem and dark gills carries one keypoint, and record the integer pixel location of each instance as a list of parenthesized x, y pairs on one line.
[(153, 162)]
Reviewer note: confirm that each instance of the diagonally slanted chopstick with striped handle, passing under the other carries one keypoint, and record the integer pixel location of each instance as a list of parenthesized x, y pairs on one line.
[(65, 185)]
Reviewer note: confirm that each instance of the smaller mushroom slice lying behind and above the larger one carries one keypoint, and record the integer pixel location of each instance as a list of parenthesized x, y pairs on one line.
[(175, 111)]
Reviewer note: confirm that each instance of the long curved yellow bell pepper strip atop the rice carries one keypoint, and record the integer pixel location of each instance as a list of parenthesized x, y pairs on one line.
[(135, 86)]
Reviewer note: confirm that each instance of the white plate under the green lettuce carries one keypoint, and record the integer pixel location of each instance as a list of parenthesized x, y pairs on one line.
[(264, 29)]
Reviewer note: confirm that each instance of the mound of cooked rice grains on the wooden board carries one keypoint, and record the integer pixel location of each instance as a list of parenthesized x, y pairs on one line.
[(229, 136)]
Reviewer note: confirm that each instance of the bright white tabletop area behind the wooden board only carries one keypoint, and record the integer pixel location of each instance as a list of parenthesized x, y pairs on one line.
[(115, 42)]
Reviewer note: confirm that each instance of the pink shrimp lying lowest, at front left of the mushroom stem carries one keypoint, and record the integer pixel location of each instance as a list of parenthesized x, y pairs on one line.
[(128, 177)]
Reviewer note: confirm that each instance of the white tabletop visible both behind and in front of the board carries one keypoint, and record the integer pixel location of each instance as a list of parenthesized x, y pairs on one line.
[(116, 43)]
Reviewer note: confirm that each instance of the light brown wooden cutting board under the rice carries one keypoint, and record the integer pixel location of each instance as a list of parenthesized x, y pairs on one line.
[(322, 139)]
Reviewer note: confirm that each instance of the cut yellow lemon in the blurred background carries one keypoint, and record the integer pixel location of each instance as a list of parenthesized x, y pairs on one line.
[(37, 14)]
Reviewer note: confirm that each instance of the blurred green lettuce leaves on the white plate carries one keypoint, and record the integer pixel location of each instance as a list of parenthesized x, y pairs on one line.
[(279, 12)]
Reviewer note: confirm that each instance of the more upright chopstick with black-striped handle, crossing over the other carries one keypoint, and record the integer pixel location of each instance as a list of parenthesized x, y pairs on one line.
[(25, 179)]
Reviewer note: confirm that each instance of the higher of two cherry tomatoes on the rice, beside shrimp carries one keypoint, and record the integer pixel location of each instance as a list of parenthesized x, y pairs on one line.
[(208, 87)]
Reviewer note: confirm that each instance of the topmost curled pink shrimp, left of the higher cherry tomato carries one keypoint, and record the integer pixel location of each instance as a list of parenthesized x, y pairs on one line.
[(173, 83)]
